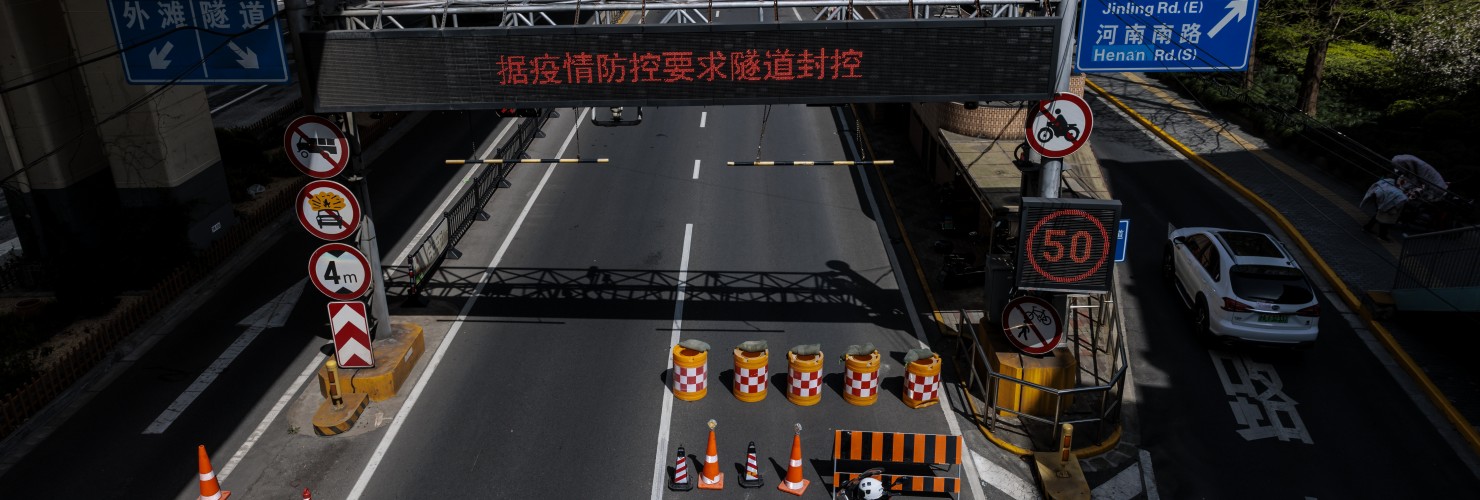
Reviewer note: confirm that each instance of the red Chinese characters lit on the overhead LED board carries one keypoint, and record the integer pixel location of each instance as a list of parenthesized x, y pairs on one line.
[(674, 67)]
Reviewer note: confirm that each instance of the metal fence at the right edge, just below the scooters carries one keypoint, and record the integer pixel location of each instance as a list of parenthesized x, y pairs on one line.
[(1442, 260)]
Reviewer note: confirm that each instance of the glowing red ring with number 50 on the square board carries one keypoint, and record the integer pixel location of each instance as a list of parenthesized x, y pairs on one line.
[(1059, 245)]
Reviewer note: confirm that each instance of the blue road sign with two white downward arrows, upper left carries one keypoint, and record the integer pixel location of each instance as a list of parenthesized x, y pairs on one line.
[(202, 42)]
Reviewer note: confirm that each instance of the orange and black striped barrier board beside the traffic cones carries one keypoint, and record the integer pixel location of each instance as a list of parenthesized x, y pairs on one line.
[(868, 449)]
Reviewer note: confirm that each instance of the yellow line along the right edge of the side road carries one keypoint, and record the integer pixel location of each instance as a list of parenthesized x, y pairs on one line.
[(1430, 390)]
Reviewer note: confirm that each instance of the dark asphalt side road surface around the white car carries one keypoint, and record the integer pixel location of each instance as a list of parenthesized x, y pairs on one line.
[(1254, 424)]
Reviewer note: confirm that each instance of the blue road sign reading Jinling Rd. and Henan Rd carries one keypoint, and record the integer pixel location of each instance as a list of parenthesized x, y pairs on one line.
[(1165, 36)]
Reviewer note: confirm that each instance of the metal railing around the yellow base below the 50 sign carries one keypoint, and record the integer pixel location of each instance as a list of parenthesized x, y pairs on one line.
[(1097, 341)]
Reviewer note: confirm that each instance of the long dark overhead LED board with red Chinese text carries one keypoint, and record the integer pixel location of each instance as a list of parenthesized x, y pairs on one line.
[(795, 63)]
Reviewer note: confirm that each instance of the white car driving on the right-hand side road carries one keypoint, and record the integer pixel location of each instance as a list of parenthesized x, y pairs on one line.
[(1241, 285)]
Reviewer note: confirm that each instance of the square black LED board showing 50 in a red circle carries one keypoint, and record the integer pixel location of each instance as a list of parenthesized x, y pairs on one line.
[(1068, 245)]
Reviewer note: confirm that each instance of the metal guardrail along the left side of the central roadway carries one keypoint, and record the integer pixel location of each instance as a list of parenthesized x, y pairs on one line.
[(452, 226)]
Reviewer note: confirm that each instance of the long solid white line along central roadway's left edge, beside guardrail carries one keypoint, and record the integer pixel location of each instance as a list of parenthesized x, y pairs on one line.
[(452, 334)]
